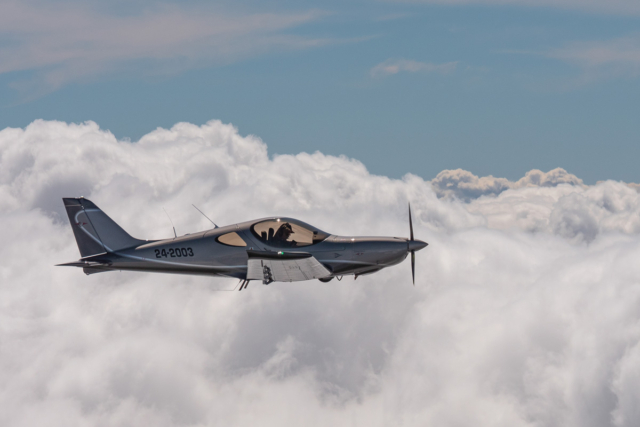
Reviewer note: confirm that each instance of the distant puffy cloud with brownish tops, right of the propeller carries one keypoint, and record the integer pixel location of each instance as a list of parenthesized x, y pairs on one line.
[(555, 202)]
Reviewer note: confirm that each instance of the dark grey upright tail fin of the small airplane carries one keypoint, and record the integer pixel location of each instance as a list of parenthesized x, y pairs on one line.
[(95, 232)]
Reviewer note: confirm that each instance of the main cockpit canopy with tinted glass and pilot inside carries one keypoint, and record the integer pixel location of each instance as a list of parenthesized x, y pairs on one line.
[(287, 233)]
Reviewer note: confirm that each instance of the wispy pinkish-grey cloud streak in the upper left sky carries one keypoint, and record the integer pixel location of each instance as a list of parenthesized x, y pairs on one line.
[(69, 41)]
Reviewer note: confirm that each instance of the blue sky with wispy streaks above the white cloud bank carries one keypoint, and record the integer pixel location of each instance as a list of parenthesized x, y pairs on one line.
[(493, 87)]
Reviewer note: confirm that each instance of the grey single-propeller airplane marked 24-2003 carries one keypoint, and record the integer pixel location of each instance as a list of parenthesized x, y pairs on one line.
[(275, 249)]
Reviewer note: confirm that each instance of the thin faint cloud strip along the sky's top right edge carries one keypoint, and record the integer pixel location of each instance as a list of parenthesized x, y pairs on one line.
[(622, 7)]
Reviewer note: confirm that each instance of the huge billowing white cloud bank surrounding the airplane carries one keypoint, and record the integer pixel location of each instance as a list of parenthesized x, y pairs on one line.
[(525, 310)]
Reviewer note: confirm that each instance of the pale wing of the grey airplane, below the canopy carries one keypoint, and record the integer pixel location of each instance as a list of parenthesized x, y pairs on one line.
[(284, 267)]
